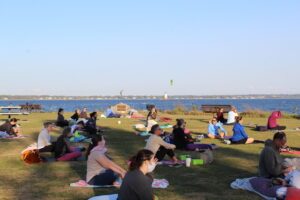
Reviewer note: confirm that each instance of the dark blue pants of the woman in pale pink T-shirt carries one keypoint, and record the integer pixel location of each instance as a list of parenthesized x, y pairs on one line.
[(108, 177)]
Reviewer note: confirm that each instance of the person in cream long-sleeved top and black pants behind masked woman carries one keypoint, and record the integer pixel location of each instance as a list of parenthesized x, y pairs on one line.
[(158, 146)]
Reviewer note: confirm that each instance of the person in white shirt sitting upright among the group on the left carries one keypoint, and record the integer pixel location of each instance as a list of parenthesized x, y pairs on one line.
[(44, 139)]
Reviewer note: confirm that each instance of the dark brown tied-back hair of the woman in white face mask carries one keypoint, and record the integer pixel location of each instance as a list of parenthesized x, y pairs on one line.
[(137, 161)]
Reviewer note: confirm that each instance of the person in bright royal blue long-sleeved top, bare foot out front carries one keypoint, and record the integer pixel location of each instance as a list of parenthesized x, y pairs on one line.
[(239, 134)]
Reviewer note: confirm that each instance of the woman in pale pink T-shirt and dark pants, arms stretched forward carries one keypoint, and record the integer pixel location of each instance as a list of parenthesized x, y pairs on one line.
[(101, 170)]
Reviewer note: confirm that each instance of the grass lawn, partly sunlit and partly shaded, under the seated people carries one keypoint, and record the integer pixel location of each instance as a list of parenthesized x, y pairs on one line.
[(51, 180)]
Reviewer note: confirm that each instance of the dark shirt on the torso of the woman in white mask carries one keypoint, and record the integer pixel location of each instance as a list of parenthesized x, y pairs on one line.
[(136, 186)]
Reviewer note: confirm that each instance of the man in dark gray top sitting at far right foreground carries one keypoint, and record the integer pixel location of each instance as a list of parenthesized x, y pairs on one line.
[(270, 161)]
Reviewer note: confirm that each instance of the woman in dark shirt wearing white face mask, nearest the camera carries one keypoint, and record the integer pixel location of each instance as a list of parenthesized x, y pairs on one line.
[(137, 184)]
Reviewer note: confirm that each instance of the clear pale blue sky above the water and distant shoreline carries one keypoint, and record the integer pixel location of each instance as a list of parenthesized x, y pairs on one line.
[(72, 47)]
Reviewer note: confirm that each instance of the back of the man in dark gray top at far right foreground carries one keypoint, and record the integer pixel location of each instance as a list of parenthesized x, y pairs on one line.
[(270, 161)]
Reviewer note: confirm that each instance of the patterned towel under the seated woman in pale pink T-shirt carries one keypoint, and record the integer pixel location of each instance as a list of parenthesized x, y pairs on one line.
[(157, 183)]
